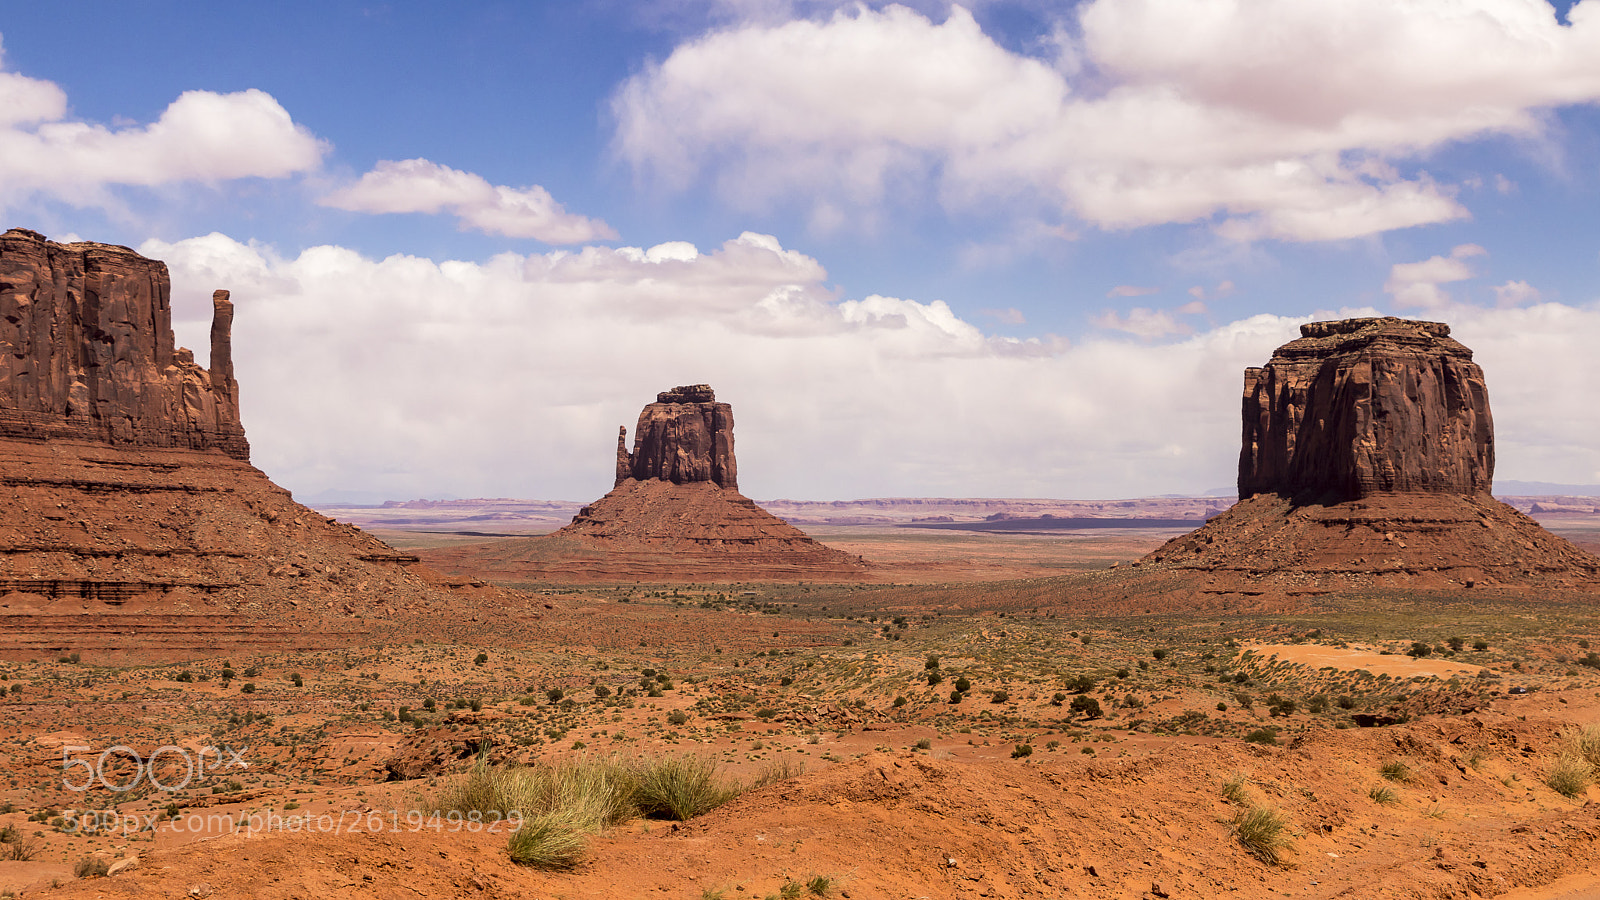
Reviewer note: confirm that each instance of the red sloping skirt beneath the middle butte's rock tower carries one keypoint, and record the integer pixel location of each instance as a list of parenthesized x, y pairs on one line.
[(662, 532)]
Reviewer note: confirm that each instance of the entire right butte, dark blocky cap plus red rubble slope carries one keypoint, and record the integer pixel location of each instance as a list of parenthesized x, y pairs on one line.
[(1367, 460)]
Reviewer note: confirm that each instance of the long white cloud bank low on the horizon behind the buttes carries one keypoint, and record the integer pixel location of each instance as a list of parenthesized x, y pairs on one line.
[(508, 377)]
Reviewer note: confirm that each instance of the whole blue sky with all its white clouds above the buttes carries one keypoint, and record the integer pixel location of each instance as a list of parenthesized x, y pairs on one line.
[(1002, 249)]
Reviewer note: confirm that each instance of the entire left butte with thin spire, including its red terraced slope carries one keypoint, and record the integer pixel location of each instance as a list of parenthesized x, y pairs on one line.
[(132, 521)]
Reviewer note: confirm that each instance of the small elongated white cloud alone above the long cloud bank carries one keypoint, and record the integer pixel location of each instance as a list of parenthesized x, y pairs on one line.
[(423, 187)]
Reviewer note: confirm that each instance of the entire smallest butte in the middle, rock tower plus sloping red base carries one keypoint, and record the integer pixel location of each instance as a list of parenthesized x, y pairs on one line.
[(674, 515)]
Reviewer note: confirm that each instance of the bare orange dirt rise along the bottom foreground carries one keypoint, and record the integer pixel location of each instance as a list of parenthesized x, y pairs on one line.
[(908, 826)]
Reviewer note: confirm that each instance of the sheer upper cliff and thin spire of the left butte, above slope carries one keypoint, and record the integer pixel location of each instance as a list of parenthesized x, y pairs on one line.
[(87, 352)]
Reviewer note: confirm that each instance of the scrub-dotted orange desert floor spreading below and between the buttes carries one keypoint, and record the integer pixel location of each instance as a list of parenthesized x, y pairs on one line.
[(966, 723)]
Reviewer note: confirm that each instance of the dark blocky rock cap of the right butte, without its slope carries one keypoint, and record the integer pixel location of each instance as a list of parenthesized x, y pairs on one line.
[(1362, 408)]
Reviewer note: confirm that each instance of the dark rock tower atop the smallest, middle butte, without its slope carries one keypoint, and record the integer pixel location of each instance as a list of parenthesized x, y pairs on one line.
[(686, 436)]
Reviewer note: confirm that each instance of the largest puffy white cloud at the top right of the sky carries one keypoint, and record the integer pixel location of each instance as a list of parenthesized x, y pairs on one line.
[(1270, 119)]
